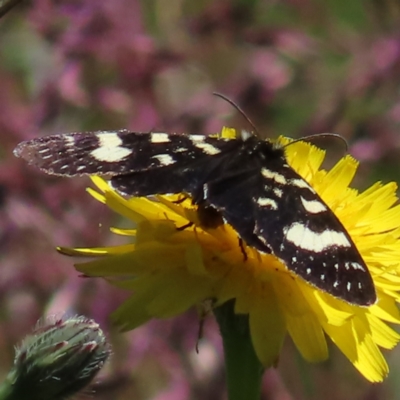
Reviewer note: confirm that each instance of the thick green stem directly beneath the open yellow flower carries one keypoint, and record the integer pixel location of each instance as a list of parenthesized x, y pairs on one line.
[(243, 369)]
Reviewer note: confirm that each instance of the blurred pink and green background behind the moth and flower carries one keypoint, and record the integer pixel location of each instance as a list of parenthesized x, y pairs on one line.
[(296, 67)]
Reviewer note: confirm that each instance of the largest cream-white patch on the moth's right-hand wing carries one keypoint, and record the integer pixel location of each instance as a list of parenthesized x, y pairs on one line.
[(306, 239)]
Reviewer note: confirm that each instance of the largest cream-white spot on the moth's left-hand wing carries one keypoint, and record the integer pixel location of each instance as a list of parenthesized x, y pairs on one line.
[(110, 149)]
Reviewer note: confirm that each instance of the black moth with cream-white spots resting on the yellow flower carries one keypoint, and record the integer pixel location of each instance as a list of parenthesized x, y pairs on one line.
[(247, 181)]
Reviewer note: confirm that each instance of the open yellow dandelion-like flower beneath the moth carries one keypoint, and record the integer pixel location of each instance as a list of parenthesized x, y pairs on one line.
[(170, 270)]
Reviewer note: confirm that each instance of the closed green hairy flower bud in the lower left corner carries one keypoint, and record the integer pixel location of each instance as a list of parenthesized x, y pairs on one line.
[(58, 359)]
